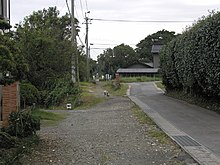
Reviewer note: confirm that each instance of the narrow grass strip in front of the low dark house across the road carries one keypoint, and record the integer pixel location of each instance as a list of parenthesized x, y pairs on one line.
[(139, 79)]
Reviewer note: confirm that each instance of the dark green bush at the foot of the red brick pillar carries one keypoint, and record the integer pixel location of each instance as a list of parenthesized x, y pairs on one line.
[(22, 124)]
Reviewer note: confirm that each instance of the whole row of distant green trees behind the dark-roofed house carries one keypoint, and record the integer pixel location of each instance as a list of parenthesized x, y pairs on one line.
[(122, 56)]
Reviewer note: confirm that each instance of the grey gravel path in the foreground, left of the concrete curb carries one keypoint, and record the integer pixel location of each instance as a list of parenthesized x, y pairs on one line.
[(105, 134)]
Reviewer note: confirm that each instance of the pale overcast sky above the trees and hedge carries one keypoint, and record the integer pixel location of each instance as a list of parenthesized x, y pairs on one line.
[(104, 34)]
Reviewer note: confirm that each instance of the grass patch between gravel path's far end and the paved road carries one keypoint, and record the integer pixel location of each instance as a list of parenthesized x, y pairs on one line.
[(114, 90)]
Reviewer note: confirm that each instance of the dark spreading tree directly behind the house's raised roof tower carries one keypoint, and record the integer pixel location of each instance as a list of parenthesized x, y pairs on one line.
[(144, 46)]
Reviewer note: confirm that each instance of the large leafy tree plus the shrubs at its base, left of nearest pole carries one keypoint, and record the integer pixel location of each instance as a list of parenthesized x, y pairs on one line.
[(44, 39)]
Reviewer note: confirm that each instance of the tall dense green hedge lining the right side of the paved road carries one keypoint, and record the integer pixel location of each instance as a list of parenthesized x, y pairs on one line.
[(191, 62)]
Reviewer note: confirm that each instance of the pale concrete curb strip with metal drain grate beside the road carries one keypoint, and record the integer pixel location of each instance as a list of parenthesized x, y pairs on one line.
[(196, 150)]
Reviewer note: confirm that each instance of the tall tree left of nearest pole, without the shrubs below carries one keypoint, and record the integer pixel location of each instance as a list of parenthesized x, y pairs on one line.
[(44, 40)]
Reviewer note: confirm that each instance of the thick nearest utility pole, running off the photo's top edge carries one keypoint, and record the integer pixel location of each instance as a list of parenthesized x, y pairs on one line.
[(74, 57)]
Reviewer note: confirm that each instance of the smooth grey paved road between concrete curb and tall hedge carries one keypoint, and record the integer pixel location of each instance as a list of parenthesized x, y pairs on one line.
[(201, 124)]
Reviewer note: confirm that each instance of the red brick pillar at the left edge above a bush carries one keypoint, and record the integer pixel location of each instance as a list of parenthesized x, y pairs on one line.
[(10, 101)]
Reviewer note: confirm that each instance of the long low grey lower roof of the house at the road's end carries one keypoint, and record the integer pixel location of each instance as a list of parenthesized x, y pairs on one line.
[(137, 70)]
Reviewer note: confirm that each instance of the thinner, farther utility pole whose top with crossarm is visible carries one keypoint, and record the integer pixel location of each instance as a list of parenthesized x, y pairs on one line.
[(87, 47)]
